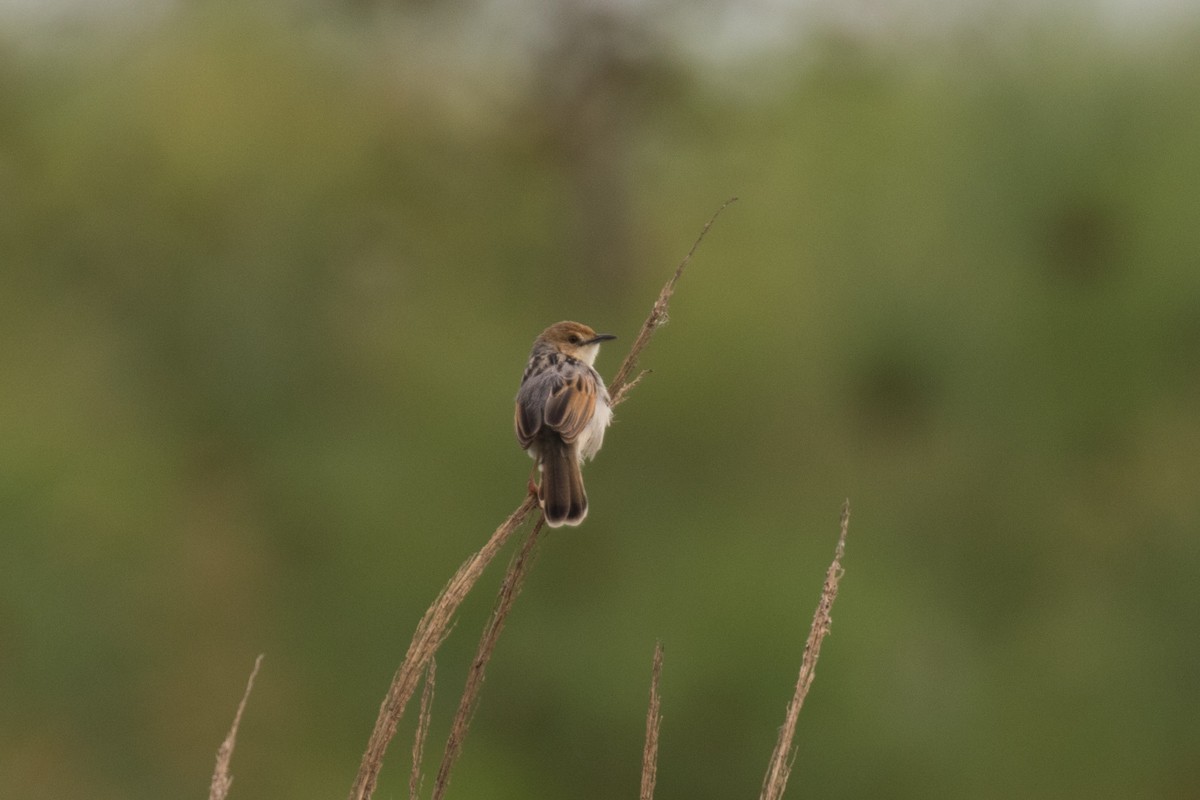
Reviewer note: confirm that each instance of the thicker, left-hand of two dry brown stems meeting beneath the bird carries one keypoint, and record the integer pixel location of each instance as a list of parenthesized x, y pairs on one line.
[(431, 631)]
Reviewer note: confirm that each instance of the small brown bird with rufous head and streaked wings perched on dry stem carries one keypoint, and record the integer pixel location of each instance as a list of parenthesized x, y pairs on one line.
[(561, 417)]
